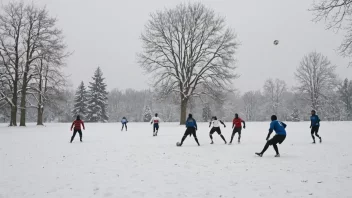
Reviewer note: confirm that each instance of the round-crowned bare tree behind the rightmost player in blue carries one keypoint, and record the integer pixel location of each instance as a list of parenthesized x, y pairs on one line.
[(316, 76)]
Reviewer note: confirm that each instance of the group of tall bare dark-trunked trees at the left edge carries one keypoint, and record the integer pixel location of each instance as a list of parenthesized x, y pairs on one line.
[(32, 54)]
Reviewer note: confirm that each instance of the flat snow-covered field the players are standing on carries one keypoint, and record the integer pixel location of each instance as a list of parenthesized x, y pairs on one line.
[(40, 162)]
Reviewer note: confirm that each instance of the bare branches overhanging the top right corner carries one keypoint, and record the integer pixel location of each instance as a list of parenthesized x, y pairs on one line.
[(338, 15)]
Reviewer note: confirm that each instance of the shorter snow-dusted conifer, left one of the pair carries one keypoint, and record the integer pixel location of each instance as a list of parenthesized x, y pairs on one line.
[(80, 102)]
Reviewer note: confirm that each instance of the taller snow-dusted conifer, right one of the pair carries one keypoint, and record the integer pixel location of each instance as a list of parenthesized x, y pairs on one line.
[(97, 100)]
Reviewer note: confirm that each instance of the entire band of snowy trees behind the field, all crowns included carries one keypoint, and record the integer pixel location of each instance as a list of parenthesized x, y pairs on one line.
[(189, 52)]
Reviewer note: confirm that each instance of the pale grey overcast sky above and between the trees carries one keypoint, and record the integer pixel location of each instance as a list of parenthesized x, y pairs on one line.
[(106, 33)]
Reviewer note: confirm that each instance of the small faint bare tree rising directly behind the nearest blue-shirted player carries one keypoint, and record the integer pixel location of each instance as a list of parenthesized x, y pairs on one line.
[(273, 91)]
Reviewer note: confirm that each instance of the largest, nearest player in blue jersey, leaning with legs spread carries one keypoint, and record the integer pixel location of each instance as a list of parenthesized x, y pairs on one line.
[(280, 130)]
